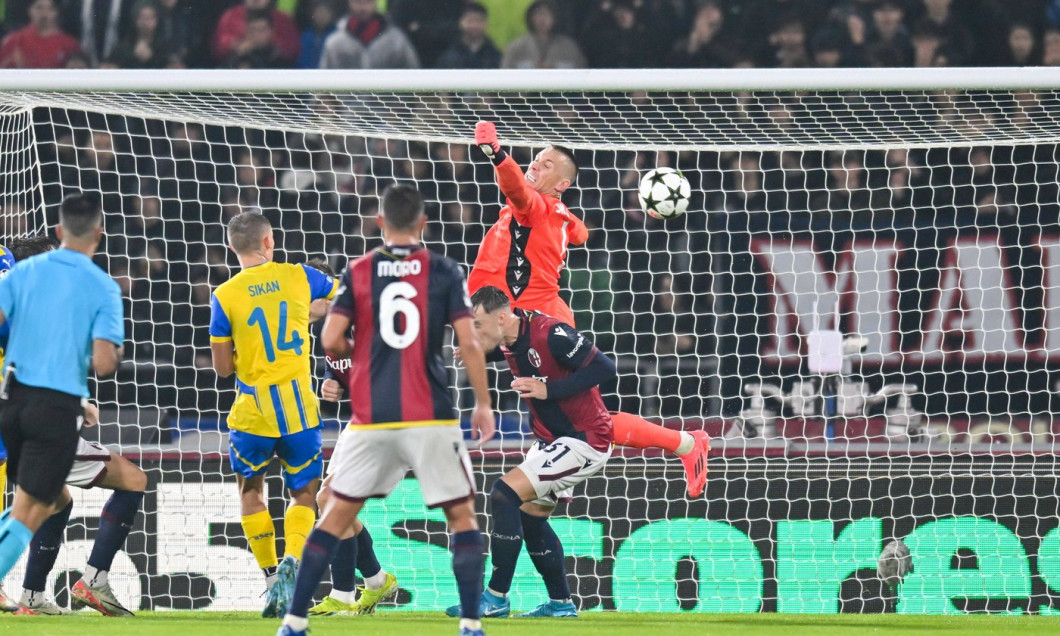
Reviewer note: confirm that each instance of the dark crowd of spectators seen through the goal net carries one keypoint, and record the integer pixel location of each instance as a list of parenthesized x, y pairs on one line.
[(641, 286)]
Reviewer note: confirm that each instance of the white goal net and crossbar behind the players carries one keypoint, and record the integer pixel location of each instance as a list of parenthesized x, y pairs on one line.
[(860, 307)]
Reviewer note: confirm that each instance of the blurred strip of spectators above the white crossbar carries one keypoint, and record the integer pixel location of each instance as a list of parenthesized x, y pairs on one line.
[(392, 34)]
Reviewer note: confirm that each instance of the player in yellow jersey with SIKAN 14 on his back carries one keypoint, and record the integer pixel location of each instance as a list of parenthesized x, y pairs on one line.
[(259, 330)]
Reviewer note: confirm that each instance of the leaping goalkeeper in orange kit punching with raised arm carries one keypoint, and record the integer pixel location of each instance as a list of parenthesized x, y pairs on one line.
[(524, 254)]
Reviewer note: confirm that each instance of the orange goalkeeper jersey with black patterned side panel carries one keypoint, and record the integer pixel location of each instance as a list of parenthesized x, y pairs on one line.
[(524, 253)]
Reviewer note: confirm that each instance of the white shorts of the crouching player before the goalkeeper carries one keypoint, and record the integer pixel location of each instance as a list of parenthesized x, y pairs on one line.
[(556, 469)]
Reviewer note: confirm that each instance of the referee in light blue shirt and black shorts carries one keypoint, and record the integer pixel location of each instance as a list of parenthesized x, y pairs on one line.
[(64, 311)]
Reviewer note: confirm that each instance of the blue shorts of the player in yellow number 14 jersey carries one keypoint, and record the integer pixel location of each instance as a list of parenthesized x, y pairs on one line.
[(301, 455)]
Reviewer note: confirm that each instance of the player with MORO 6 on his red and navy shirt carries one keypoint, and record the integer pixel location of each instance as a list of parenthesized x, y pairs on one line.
[(398, 301)]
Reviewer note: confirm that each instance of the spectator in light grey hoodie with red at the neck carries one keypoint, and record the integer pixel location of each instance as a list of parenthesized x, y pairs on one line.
[(366, 40)]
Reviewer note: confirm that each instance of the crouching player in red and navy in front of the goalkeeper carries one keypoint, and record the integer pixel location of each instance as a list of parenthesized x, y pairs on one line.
[(558, 372)]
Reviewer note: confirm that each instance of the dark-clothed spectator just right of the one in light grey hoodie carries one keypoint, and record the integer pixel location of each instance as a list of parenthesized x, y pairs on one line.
[(430, 25)]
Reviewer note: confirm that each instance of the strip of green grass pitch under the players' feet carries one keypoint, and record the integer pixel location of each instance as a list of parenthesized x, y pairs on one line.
[(592, 624)]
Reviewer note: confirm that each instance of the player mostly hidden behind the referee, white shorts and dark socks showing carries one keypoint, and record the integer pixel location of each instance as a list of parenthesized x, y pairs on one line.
[(94, 467)]
